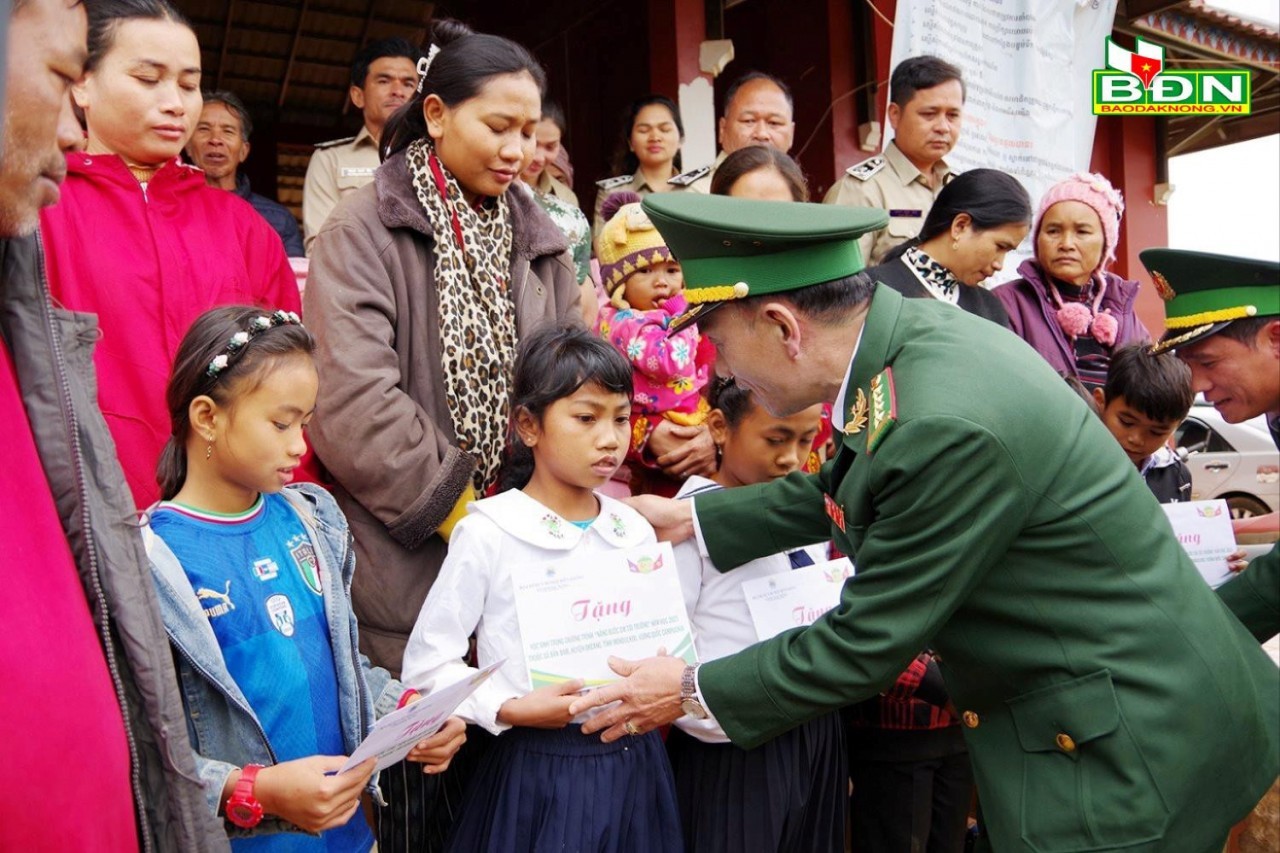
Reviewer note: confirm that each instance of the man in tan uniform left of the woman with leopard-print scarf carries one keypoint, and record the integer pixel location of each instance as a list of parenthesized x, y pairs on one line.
[(383, 79)]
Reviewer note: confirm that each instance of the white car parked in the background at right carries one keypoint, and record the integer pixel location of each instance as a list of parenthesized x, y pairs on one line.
[(1235, 462)]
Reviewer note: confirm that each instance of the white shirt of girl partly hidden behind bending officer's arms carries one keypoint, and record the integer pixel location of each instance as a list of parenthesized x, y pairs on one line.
[(717, 605)]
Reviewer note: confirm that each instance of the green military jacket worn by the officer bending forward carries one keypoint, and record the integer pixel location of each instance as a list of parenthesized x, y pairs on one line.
[(1110, 701)]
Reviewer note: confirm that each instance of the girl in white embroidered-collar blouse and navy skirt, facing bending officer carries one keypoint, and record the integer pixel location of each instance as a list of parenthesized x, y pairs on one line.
[(545, 786)]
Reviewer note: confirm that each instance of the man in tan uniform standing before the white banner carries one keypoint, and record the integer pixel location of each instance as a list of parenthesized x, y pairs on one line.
[(926, 108)]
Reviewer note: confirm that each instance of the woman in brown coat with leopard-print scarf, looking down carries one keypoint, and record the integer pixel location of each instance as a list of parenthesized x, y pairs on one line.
[(422, 285)]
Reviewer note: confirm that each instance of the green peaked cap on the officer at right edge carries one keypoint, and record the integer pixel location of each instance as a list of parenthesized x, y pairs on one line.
[(1204, 293)]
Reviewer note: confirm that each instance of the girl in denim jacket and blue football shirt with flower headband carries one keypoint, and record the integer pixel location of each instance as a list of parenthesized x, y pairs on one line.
[(254, 585)]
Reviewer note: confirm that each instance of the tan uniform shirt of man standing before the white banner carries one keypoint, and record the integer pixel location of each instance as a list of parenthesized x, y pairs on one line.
[(893, 184)]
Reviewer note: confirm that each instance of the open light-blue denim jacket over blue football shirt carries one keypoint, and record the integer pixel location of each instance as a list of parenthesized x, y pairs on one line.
[(225, 731)]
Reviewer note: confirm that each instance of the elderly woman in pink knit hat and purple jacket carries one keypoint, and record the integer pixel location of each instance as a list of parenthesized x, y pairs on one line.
[(1067, 305)]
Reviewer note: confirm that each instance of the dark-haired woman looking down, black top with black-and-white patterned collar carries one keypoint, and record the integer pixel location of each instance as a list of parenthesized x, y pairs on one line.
[(976, 221)]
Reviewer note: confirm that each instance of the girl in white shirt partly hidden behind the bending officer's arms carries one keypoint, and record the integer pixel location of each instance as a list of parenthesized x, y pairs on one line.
[(792, 793)]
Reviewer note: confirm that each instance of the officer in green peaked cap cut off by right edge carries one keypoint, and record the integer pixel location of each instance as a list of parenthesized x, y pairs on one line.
[(1223, 320)]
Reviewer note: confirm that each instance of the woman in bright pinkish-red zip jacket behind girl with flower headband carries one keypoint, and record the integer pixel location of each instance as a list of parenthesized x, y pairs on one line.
[(138, 238)]
